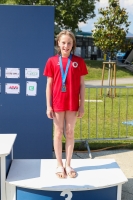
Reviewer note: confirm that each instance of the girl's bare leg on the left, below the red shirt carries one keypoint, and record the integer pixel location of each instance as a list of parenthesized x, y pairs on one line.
[(58, 132)]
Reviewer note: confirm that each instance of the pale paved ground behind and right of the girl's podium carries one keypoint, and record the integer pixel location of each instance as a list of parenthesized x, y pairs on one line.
[(124, 159)]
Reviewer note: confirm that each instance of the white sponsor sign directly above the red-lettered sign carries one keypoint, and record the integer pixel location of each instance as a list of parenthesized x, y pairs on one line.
[(12, 73)]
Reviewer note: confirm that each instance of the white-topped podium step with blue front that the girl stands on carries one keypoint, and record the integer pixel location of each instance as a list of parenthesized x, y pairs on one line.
[(30, 179)]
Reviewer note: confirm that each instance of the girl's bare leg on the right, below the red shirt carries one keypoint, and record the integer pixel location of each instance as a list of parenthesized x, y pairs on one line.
[(70, 120)]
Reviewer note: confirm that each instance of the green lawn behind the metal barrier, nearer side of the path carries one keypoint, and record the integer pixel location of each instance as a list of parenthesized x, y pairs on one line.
[(99, 124)]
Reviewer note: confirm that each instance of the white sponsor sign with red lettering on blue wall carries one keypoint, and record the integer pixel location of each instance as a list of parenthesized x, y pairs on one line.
[(12, 88)]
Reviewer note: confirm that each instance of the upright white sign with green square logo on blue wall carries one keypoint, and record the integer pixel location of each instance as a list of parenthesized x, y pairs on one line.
[(31, 88)]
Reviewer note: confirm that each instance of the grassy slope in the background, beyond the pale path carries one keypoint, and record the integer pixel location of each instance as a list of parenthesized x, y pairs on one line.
[(95, 71)]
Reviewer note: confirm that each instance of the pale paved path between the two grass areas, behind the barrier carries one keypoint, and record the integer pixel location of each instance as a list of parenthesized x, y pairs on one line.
[(119, 81)]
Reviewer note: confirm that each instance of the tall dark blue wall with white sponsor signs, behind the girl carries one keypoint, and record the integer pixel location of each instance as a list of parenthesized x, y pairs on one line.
[(26, 41)]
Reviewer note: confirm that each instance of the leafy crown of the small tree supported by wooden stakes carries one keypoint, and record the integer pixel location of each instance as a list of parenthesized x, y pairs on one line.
[(111, 29)]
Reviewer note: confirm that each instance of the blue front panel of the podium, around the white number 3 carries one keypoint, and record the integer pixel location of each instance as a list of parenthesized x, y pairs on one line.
[(102, 194)]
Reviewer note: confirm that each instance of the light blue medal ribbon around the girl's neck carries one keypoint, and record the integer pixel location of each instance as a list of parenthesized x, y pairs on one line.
[(64, 74)]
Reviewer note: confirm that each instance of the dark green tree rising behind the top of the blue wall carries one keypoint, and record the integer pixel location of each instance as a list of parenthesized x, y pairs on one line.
[(68, 13)]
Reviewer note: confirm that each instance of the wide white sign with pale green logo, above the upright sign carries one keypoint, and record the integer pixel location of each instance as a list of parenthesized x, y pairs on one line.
[(31, 72)]
